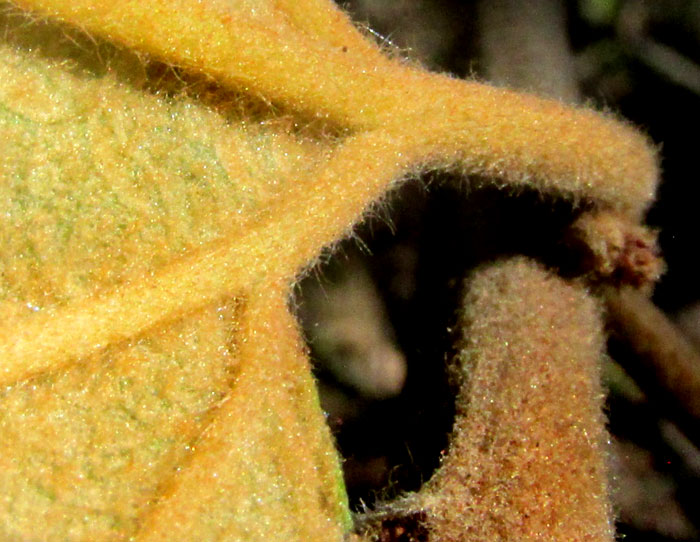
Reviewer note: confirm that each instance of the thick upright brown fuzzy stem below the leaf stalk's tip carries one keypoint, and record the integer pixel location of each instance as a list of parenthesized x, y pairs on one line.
[(526, 459)]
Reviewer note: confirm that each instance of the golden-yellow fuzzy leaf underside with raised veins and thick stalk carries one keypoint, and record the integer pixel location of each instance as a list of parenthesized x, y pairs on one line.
[(168, 168)]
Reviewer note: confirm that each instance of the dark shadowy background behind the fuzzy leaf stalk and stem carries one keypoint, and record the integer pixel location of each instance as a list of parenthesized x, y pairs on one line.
[(638, 59)]
